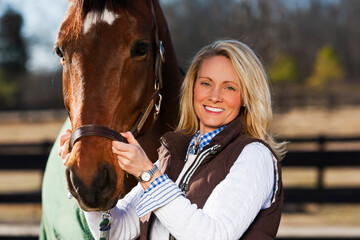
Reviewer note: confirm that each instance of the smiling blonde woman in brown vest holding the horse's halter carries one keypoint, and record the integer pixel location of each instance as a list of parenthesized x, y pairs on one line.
[(218, 175)]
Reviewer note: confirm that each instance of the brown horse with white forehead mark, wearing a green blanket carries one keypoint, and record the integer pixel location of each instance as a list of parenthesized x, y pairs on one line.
[(119, 65)]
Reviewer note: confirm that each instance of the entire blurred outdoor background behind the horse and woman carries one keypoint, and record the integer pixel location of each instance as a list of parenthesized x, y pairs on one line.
[(311, 51)]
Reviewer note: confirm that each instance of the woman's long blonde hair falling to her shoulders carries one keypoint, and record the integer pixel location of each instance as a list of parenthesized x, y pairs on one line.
[(254, 86)]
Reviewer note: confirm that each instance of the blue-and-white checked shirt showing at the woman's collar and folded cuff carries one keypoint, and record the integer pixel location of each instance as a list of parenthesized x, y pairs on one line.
[(162, 190)]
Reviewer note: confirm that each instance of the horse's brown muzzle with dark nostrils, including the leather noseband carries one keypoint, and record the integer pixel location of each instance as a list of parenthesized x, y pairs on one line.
[(92, 178)]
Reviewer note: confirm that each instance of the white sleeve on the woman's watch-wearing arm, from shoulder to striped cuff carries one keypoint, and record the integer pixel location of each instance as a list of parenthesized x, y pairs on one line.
[(233, 204)]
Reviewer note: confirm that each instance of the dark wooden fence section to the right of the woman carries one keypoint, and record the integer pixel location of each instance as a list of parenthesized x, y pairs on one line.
[(322, 159)]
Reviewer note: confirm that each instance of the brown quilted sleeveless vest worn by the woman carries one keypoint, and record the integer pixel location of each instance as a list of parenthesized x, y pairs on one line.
[(229, 143)]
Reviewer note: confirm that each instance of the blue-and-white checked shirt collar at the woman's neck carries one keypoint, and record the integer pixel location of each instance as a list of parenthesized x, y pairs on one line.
[(198, 142)]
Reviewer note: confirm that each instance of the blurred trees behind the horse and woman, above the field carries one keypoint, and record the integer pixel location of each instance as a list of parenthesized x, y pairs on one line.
[(309, 47)]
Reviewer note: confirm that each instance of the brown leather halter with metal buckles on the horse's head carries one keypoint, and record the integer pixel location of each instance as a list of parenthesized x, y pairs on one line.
[(103, 131)]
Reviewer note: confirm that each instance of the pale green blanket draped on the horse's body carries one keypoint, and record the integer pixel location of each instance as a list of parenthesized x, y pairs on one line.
[(61, 217)]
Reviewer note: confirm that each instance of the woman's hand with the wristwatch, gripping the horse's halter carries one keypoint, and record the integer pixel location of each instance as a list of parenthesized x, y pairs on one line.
[(132, 158)]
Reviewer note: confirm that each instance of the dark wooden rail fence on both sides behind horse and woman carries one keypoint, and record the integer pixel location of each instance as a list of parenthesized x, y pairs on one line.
[(34, 157)]
